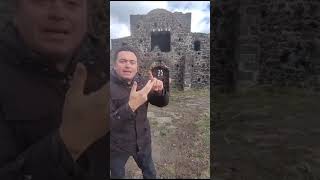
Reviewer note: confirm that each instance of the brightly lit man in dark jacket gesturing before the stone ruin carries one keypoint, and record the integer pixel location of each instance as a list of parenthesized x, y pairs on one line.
[(130, 130)]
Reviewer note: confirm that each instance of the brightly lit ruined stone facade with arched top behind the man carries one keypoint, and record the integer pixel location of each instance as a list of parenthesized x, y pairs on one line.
[(164, 36)]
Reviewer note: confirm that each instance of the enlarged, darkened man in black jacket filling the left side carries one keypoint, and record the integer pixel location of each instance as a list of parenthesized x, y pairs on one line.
[(53, 109)]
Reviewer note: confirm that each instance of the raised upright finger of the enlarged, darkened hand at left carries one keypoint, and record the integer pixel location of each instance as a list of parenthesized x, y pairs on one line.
[(79, 79)]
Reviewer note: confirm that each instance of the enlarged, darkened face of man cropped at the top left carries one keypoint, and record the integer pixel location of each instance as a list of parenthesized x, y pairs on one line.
[(52, 27)]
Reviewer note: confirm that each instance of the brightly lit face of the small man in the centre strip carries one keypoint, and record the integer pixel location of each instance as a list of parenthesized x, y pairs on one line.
[(126, 65)]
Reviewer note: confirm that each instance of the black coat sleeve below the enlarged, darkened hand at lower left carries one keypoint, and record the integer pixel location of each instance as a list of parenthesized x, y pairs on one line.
[(46, 159)]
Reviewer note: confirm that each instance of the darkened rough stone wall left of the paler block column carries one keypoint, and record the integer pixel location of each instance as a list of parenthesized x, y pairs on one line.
[(225, 32)]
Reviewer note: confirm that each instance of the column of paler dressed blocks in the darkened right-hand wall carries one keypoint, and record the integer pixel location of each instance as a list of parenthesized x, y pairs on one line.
[(248, 46)]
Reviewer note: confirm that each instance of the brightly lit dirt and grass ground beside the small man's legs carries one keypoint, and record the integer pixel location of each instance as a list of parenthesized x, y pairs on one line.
[(180, 137)]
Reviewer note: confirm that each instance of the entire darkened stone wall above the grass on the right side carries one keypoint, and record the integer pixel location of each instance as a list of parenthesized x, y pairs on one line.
[(270, 42)]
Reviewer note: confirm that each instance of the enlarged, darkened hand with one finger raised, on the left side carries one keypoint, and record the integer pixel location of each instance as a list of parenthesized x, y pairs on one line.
[(85, 117)]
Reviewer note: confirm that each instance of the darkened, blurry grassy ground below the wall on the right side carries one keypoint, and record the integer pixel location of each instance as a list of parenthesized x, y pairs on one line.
[(263, 135)]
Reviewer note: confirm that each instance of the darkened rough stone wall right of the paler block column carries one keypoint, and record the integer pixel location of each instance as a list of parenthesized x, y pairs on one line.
[(290, 30)]
